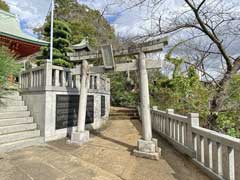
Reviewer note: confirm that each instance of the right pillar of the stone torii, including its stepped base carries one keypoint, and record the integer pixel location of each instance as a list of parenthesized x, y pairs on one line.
[(147, 146)]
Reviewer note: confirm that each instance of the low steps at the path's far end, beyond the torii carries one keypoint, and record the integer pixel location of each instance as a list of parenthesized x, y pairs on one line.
[(121, 113)]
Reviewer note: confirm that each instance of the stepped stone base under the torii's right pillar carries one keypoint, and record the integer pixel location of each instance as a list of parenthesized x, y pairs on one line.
[(148, 149)]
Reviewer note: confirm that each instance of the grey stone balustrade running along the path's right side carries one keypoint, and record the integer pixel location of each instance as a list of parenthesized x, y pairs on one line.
[(215, 153)]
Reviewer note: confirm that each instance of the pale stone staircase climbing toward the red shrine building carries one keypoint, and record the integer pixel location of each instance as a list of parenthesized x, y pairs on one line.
[(17, 129)]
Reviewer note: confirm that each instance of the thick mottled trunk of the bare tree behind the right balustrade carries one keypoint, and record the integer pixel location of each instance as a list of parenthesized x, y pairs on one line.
[(220, 95)]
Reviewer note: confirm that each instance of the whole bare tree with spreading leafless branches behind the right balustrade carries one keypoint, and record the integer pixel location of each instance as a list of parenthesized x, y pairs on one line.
[(217, 23)]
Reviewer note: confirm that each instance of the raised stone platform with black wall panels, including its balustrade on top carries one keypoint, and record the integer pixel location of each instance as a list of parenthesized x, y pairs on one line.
[(48, 88)]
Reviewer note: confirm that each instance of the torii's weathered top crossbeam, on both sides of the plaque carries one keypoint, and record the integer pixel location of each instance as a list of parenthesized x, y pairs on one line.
[(147, 47)]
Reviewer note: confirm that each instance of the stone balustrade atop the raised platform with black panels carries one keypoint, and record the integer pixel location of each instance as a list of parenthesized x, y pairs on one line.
[(59, 78)]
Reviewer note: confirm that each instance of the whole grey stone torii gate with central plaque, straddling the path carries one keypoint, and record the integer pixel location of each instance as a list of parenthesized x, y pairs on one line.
[(147, 146)]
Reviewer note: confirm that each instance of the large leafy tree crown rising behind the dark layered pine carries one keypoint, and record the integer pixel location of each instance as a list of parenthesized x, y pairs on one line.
[(84, 22)]
